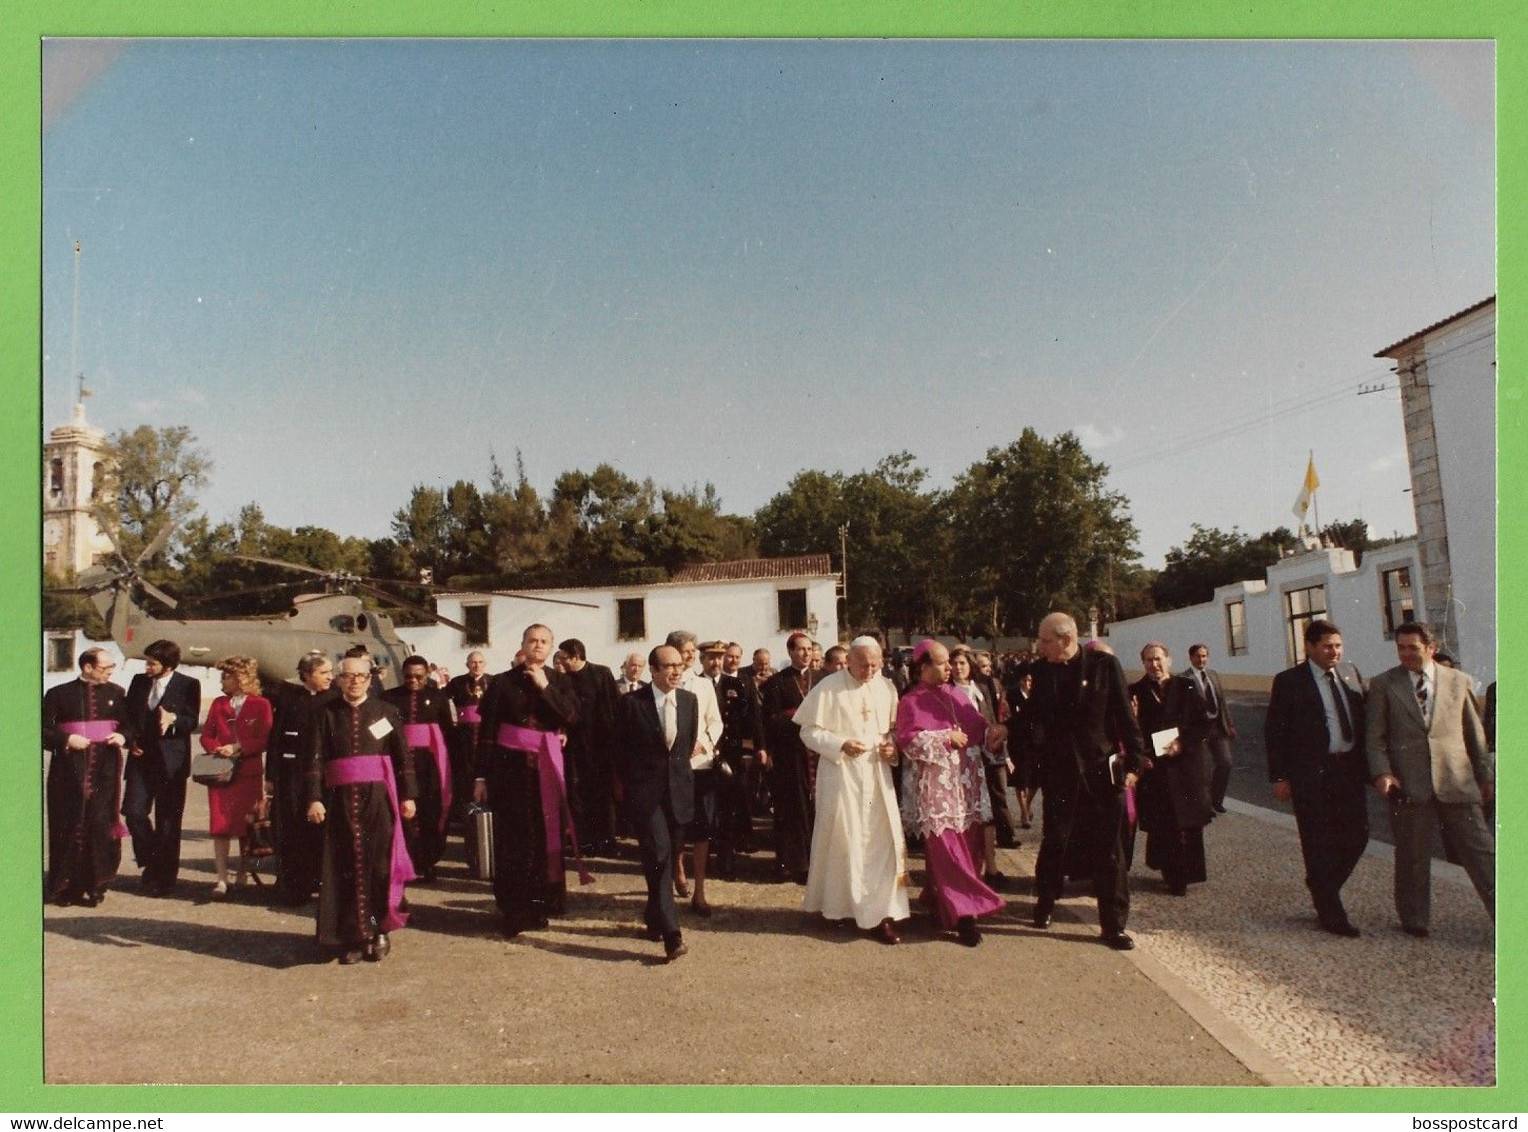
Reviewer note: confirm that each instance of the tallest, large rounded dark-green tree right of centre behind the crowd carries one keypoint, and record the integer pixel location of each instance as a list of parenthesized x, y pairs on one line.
[(1035, 529)]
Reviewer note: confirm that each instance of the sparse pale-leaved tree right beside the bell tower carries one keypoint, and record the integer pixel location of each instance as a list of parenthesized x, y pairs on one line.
[(152, 480)]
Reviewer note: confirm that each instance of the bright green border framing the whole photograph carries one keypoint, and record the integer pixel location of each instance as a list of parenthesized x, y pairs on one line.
[(21, 202)]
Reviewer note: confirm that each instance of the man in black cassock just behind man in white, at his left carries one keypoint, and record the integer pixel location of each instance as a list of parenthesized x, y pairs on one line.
[(788, 765)]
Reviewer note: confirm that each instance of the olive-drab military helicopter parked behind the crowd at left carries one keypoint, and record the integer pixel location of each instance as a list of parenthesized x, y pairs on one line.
[(328, 623)]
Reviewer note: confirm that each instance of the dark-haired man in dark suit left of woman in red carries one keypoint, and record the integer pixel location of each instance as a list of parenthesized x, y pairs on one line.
[(163, 707)]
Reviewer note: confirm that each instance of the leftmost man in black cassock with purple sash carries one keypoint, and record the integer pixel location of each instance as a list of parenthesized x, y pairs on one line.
[(86, 728)]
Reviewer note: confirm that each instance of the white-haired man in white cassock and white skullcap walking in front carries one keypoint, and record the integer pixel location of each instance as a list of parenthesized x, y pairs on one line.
[(859, 859)]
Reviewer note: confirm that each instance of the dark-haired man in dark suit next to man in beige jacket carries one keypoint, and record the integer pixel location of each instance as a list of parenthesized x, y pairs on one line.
[(1315, 742)]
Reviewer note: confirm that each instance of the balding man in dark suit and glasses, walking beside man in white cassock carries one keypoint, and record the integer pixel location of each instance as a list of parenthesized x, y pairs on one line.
[(659, 729)]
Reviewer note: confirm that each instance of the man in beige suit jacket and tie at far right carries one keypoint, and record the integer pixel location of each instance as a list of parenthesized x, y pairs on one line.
[(1428, 755)]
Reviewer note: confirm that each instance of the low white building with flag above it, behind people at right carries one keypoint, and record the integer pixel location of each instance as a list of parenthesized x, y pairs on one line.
[(1257, 629)]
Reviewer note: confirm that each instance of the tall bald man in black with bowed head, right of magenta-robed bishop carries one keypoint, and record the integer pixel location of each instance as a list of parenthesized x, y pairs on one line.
[(1087, 743)]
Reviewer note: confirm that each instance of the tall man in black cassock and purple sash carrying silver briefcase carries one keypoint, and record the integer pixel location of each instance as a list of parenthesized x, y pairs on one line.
[(519, 774)]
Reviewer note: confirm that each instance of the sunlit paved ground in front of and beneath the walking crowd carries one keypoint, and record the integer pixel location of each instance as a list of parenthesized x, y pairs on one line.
[(1231, 986)]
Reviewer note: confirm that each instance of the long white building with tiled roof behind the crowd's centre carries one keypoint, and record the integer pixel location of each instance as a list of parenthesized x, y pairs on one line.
[(756, 603)]
